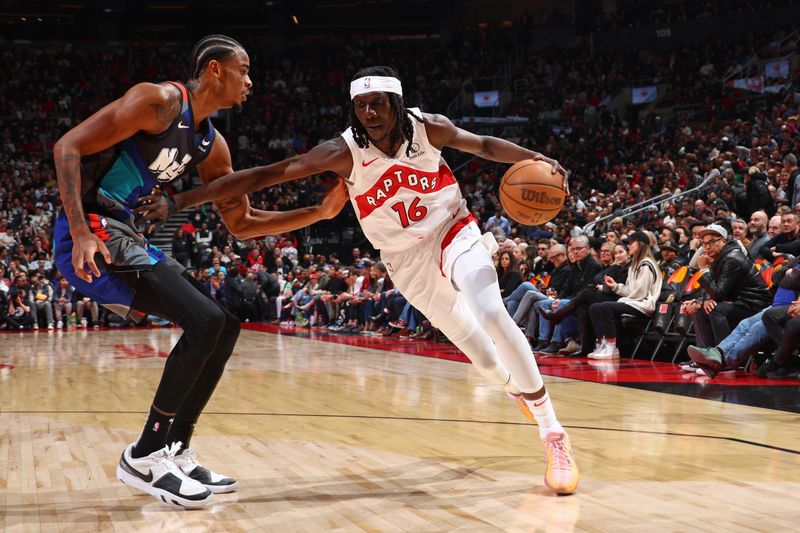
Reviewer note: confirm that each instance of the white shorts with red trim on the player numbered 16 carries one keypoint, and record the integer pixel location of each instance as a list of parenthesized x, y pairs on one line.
[(424, 273)]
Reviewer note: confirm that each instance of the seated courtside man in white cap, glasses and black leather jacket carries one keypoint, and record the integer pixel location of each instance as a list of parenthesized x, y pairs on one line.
[(734, 289)]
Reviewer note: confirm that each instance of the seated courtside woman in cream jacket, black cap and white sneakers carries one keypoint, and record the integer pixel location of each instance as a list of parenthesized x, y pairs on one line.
[(638, 296)]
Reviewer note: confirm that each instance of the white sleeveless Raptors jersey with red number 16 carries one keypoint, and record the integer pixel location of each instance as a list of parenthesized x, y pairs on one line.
[(402, 199)]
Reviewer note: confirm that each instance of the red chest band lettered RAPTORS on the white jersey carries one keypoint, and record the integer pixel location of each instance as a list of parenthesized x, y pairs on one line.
[(399, 177)]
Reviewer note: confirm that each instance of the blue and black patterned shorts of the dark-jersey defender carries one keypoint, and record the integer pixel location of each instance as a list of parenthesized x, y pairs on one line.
[(130, 254)]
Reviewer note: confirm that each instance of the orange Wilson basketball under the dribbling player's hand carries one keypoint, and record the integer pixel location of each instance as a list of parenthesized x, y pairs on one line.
[(530, 193)]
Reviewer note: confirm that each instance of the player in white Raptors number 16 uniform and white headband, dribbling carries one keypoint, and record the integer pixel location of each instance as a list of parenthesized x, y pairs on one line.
[(410, 207)]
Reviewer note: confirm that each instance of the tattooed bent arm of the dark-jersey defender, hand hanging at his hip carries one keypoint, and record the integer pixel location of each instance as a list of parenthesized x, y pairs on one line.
[(145, 107)]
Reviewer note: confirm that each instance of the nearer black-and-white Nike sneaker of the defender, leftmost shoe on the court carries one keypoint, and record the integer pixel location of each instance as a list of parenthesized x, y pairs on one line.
[(158, 475)]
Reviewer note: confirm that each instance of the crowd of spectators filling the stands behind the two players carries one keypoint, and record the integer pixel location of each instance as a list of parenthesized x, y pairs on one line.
[(712, 139)]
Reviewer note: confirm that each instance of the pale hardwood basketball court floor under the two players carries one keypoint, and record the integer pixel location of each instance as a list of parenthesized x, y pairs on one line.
[(341, 436)]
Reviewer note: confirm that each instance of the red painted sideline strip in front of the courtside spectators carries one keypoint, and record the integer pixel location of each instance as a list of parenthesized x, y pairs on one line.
[(621, 371)]
